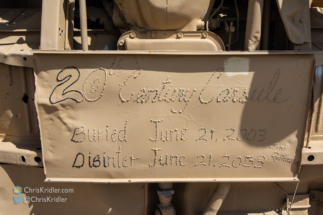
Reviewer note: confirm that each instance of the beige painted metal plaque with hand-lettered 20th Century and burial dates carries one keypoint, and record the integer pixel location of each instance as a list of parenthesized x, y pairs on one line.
[(127, 117)]
